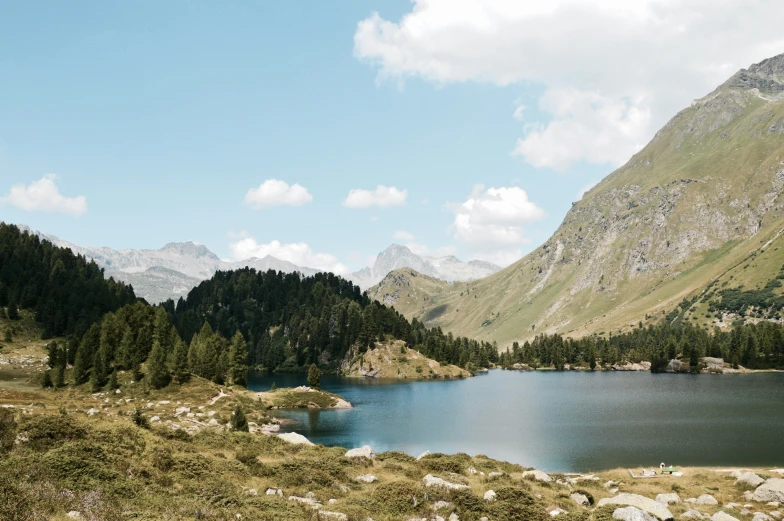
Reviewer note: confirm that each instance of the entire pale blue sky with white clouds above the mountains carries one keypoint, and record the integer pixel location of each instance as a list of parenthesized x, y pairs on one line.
[(321, 132)]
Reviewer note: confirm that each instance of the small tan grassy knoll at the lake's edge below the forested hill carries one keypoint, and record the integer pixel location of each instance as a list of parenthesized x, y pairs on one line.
[(387, 360)]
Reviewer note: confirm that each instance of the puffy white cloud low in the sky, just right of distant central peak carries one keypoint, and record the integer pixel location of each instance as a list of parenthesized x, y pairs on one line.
[(491, 222)]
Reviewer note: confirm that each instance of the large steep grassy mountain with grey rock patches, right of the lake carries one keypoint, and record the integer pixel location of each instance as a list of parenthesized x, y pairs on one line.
[(695, 213)]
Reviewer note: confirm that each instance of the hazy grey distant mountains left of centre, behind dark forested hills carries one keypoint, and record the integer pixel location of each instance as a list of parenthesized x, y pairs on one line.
[(169, 272)]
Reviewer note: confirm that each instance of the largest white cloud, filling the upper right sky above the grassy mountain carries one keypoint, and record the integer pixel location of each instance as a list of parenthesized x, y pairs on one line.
[(614, 71)]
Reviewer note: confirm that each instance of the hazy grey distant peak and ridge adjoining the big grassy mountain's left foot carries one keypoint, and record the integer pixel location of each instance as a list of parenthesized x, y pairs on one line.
[(448, 269)]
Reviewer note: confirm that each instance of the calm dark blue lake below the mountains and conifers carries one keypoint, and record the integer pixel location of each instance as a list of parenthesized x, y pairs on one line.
[(557, 421)]
